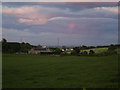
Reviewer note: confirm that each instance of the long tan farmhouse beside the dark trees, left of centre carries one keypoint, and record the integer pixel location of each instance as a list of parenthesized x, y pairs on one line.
[(39, 50)]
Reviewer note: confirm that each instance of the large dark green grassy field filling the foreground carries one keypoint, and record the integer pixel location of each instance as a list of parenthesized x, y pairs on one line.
[(34, 71)]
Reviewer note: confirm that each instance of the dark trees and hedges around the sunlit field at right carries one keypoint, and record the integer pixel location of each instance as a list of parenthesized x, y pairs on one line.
[(81, 51)]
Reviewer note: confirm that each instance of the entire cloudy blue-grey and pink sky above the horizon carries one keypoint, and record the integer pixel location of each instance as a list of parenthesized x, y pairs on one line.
[(73, 23)]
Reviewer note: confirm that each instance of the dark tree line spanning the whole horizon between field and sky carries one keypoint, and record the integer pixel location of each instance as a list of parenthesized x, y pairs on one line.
[(16, 47)]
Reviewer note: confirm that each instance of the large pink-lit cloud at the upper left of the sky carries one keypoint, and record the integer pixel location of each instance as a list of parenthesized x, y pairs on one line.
[(28, 15)]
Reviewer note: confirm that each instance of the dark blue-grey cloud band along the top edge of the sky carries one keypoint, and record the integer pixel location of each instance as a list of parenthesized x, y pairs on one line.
[(73, 6)]
